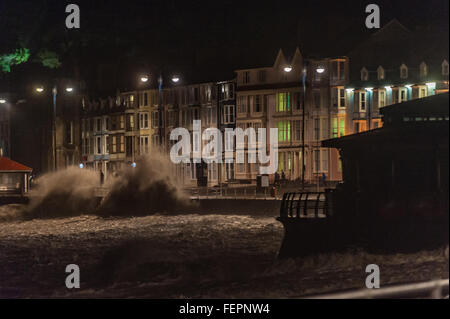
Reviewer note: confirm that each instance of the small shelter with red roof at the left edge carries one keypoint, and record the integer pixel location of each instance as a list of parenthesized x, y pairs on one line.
[(14, 177)]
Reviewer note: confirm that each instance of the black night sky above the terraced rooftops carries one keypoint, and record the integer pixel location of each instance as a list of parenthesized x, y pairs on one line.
[(119, 39)]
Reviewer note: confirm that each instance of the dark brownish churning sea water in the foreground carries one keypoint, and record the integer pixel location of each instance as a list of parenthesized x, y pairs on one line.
[(187, 256)]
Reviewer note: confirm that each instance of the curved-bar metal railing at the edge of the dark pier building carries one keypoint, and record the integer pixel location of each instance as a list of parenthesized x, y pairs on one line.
[(305, 205)]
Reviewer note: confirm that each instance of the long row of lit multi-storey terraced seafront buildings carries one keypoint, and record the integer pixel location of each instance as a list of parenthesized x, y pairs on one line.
[(341, 95)]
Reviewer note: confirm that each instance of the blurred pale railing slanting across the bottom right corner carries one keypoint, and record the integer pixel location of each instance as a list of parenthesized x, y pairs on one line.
[(436, 289)]
